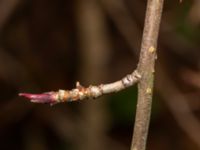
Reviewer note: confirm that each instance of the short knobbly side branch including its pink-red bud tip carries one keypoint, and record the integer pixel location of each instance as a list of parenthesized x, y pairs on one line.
[(80, 92)]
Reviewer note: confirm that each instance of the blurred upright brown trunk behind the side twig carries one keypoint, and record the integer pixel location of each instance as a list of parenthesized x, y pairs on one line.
[(94, 55)]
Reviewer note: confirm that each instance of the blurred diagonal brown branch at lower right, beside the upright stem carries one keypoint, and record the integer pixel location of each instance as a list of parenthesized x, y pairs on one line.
[(177, 103)]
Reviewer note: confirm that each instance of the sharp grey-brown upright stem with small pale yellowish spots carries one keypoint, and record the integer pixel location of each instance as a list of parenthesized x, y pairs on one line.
[(146, 69)]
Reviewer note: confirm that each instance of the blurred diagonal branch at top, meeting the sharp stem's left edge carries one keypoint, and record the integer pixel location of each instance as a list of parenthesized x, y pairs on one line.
[(123, 21)]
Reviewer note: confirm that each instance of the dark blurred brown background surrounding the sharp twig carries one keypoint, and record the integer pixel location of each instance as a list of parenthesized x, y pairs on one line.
[(49, 45)]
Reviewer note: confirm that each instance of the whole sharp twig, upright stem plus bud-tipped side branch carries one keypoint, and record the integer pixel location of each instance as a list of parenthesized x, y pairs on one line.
[(145, 67)]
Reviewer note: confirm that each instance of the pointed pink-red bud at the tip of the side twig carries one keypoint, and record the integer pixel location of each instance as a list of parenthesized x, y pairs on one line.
[(49, 97)]
